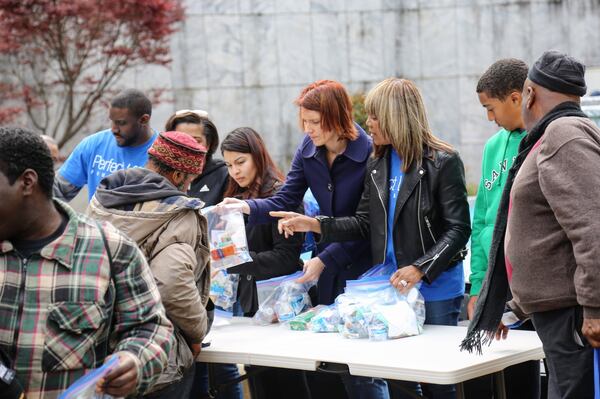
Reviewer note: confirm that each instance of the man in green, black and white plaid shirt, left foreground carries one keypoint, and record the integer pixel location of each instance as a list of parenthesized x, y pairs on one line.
[(64, 305)]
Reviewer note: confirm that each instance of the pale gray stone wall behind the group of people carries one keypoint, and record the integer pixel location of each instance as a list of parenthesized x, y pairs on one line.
[(245, 61)]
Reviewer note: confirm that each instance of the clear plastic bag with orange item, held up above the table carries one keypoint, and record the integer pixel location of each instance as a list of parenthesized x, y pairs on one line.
[(227, 236)]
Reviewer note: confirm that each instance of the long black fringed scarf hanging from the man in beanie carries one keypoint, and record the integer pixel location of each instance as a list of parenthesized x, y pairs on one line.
[(495, 290)]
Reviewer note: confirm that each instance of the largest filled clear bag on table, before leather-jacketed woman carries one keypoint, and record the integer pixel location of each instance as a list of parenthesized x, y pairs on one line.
[(373, 308)]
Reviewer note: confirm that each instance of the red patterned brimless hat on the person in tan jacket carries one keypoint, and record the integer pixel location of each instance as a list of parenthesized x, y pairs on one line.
[(179, 151)]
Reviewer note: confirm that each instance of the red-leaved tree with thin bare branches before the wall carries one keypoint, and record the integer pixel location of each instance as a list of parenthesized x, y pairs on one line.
[(59, 57)]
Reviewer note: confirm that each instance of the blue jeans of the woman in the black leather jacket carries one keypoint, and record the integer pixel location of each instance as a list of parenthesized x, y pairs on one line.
[(440, 313)]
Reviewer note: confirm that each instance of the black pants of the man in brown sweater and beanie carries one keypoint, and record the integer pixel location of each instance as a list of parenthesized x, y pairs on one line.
[(569, 356)]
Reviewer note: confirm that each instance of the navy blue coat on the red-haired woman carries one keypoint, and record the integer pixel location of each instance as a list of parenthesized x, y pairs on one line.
[(338, 191)]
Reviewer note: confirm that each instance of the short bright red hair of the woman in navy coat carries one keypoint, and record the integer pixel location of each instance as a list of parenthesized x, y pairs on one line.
[(331, 100)]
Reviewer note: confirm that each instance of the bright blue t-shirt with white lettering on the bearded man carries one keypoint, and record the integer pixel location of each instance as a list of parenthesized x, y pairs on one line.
[(98, 155)]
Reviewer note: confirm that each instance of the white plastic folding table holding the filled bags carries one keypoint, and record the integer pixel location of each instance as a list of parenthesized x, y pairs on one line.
[(432, 357)]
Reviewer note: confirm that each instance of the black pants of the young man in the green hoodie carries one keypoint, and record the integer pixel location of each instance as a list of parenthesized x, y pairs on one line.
[(522, 381)]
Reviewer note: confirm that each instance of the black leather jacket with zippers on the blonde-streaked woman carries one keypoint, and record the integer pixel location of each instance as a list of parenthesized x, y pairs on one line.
[(432, 224)]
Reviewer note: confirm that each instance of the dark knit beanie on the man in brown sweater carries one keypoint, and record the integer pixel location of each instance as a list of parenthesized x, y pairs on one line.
[(559, 72)]
